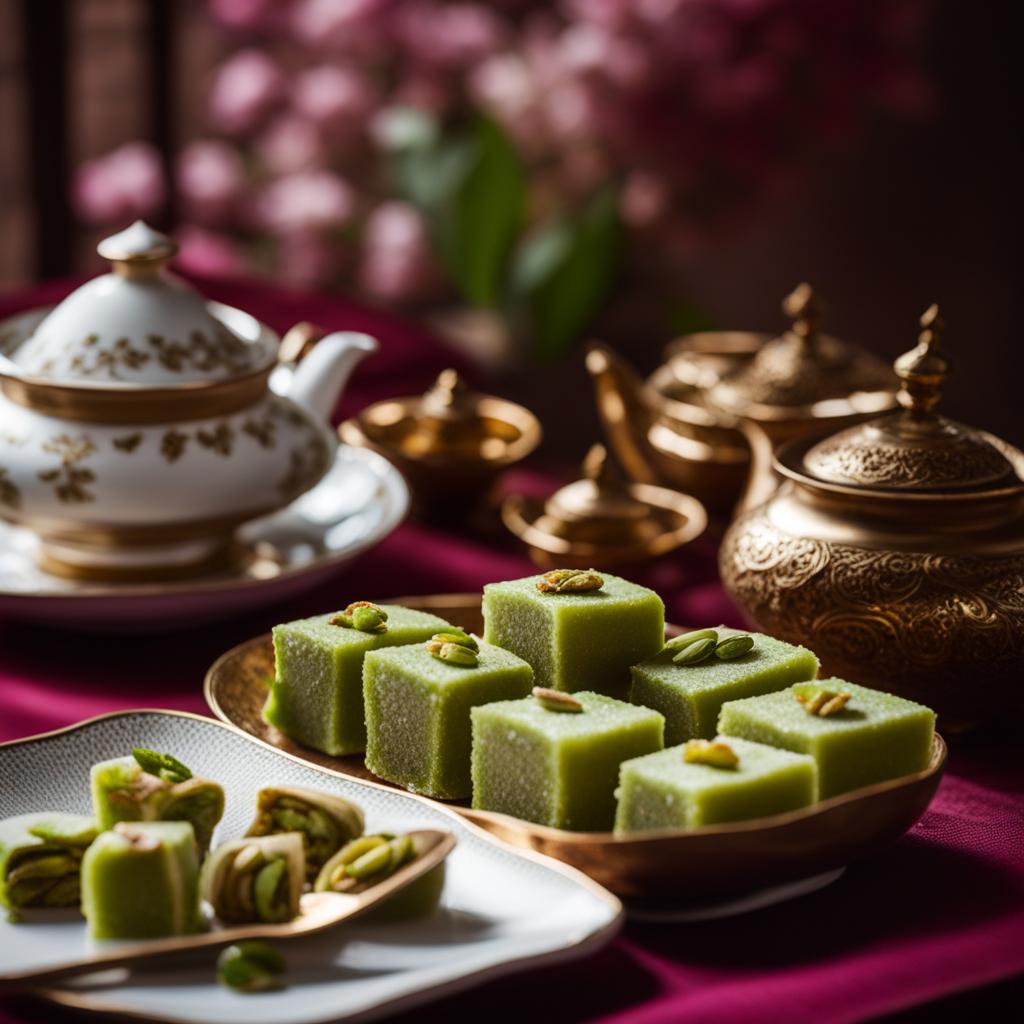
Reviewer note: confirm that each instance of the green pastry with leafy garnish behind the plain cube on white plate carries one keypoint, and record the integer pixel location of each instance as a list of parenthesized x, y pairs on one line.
[(123, 791)]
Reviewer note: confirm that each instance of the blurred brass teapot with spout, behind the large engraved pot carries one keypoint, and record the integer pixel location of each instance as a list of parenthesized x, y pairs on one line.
[(707, 420)]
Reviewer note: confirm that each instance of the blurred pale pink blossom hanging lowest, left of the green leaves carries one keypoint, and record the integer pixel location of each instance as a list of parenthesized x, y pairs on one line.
[(397, 263)]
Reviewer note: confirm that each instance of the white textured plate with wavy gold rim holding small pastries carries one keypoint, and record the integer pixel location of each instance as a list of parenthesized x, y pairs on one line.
[(502, 911)]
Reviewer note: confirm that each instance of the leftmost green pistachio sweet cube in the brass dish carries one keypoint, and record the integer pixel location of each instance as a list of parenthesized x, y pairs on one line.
[(317, 694)]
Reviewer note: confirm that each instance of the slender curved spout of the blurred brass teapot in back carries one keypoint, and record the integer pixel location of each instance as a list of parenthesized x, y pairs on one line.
[(625, 410)]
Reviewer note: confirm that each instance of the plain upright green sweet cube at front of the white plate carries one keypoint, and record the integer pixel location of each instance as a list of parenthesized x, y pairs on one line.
[(141, 881)]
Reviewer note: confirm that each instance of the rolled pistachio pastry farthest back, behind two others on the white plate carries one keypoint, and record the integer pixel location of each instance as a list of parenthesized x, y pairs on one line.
[(326, 822)]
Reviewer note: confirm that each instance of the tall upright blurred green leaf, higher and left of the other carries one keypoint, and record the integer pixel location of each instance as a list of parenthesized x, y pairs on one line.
[(478, 225)]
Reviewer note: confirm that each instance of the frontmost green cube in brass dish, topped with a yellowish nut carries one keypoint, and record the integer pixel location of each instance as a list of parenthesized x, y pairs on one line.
[(663, 791)]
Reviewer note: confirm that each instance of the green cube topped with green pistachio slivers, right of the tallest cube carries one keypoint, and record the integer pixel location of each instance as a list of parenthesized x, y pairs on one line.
[(691, 697)]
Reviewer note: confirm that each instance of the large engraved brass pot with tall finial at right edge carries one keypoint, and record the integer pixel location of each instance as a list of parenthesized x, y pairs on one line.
[(895, 550)]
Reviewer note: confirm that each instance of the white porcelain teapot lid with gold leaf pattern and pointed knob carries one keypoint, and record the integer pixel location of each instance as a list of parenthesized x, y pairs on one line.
[(138, 326)]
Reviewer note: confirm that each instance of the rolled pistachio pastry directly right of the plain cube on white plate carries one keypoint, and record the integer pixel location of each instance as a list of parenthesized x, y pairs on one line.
[(258, 879)]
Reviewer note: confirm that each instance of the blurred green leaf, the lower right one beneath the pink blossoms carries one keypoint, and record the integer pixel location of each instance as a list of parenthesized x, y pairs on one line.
[(564, 273)]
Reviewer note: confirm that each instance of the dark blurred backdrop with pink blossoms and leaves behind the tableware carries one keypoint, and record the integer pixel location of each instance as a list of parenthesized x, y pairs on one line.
[(564, 170)]
